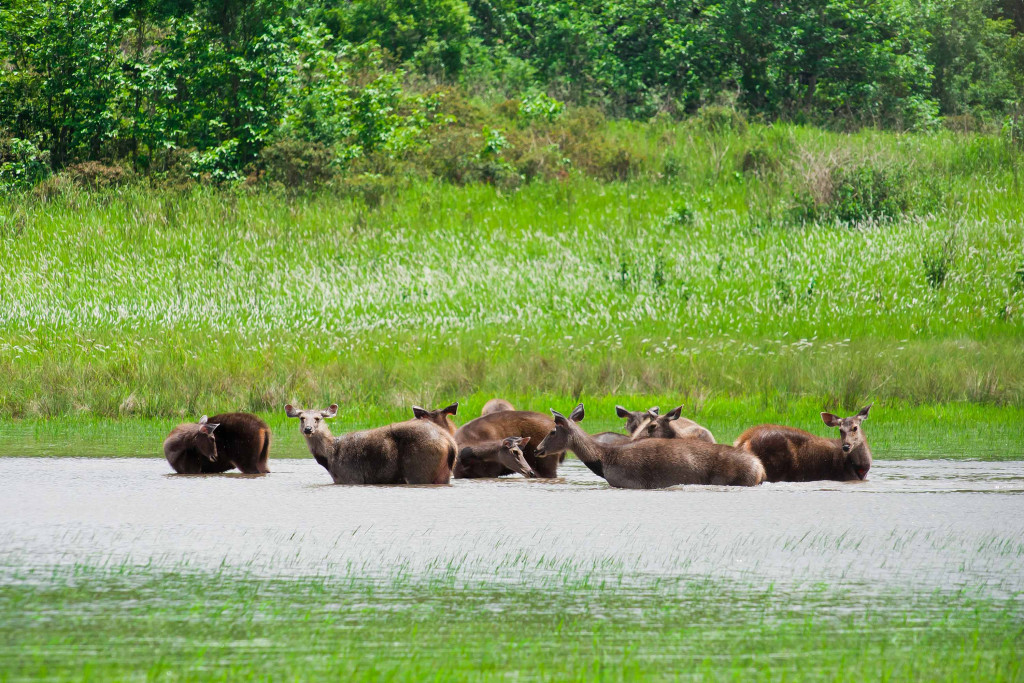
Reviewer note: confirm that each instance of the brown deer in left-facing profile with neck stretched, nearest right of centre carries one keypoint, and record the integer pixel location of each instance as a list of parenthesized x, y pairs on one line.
[(654, 463)]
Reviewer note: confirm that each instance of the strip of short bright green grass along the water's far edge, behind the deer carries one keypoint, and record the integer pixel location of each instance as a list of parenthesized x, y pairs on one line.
[(895, 431)]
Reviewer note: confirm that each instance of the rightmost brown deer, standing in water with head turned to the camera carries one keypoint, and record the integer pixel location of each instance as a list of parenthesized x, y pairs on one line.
[(793, 455)]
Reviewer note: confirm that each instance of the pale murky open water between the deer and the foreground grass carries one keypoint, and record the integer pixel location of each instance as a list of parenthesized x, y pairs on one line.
[(915, 524)]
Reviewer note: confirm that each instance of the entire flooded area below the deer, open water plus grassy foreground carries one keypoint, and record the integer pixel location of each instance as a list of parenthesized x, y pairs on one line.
[(115, 569)]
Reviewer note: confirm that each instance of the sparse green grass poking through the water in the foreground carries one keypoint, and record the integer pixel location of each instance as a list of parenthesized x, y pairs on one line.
[(146, 623)]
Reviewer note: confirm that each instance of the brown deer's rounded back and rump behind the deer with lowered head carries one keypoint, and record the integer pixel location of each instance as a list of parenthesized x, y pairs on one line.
[(501, 425)]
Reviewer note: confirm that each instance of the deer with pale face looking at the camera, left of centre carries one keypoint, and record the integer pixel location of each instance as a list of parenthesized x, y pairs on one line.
[(415, 452)]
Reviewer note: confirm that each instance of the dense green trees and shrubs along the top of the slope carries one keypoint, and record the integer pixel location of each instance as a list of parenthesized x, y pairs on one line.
[(300, 91)]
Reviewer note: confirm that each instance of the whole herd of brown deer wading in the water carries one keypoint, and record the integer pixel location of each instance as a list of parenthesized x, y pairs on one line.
[(659, 451)]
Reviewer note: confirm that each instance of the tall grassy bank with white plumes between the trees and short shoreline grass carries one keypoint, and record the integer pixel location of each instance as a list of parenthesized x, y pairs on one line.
[(750, 267)]
